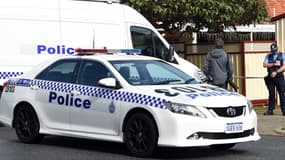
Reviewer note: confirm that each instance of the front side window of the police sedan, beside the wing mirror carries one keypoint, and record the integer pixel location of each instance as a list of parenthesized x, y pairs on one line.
[(91, 72)]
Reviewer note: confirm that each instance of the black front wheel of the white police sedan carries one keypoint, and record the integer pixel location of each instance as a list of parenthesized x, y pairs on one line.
[(140, 135)]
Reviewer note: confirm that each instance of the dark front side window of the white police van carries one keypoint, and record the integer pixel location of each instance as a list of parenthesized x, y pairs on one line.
[(149, 43)]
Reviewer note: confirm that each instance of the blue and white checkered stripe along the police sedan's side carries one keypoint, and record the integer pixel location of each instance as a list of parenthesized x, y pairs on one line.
[(96, 92)]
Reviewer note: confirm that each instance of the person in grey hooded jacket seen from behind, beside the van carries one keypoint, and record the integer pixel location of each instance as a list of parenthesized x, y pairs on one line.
[(218, 65)]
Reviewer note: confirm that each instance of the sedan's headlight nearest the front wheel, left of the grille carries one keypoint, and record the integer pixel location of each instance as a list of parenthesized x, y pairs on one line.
[(184, 109)]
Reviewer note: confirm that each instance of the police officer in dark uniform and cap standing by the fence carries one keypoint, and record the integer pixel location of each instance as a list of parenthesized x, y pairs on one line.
[(274, 62)]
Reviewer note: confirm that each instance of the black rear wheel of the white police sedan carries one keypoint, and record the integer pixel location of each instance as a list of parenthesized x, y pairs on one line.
[(27, 125)]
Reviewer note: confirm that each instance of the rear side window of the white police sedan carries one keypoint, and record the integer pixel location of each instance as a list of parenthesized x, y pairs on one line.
[(60, 71)]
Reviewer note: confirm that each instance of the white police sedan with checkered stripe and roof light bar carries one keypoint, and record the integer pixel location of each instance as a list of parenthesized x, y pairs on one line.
[(141, 101)]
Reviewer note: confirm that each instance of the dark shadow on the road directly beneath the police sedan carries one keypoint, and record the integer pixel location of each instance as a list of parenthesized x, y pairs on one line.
[(119, 148)]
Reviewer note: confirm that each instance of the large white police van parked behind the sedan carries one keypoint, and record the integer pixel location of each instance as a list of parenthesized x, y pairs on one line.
[(35, 30)]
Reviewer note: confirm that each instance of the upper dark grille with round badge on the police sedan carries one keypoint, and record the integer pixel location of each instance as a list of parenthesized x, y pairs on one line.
[(229, 111)]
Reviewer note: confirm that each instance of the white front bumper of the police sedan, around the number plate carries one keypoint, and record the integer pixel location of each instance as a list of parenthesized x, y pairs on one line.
[(186, 131)]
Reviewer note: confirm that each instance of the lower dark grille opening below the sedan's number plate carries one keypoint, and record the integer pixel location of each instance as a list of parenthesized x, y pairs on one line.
[(223, 135)]
